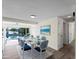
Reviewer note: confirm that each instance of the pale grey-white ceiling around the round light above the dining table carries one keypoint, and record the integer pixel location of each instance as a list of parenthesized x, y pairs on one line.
[(43, 9)]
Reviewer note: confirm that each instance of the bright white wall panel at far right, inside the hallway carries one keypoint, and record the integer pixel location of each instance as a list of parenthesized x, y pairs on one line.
[(71, 31)]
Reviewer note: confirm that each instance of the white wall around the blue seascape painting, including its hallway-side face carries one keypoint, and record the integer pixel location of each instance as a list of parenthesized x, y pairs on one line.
[(54, 41)]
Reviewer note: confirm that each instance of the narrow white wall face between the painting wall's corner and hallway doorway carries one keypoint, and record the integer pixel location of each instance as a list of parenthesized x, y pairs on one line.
[(60, 33)]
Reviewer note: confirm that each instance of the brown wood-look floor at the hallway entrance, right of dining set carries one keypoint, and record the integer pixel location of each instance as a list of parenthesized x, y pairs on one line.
[(67, 52)]
